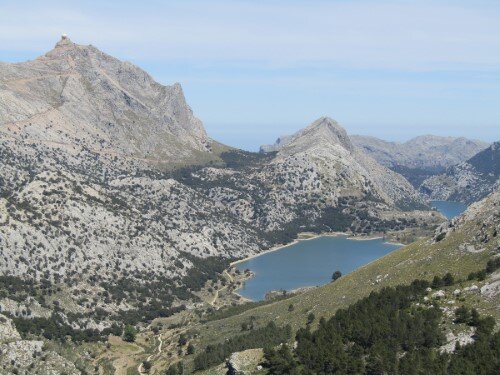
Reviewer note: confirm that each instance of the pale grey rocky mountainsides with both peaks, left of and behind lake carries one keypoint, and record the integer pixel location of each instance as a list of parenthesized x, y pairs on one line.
[(115, 206)]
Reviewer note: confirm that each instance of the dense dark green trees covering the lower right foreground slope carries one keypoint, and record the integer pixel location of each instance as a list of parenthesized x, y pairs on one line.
[(388, 333)]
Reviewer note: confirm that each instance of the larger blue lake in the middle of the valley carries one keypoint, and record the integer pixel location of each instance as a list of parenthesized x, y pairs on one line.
[(309, 263)]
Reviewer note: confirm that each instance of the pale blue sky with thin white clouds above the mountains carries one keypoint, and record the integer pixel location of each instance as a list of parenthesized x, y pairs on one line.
[(255, 70)]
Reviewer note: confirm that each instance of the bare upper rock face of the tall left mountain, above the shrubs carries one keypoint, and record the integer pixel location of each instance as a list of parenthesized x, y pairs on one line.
[(78, 96)]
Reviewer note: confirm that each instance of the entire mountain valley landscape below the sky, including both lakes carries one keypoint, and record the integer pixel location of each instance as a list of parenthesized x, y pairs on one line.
[(131, 242)]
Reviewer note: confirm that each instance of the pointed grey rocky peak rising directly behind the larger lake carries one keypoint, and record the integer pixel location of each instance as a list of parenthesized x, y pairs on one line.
[(318, 181)]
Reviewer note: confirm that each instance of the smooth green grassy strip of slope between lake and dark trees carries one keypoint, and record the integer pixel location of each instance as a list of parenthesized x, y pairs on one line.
[(421, 259)]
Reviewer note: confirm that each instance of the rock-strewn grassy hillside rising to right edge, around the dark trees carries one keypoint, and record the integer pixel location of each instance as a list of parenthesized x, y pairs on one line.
[(467, 247)]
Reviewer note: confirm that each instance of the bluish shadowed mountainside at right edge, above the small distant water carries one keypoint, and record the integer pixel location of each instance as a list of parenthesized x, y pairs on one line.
[(468, 181)]
